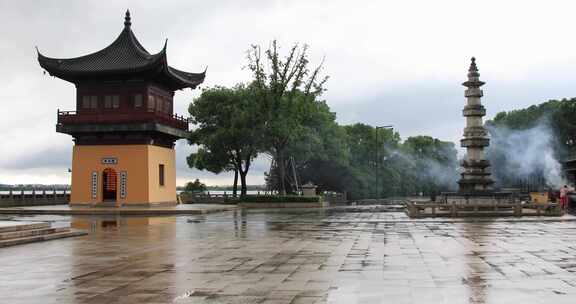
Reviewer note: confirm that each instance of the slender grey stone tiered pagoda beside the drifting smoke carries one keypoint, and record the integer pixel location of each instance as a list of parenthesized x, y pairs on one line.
[(476, 168)]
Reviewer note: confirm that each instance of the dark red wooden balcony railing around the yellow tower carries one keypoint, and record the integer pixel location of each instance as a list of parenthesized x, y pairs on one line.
[(172, 120)]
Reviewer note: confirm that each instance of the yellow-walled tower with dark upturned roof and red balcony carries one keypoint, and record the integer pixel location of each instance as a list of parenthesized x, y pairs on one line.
[(124, 128)]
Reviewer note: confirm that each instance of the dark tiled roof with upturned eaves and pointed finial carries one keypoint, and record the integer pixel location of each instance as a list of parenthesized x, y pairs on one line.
[(124, 56)]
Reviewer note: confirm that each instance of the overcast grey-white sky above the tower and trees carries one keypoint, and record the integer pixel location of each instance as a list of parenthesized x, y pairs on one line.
[(389, 62)]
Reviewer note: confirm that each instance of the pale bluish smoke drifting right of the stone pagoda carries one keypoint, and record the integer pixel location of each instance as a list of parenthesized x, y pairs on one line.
[(517, 155)]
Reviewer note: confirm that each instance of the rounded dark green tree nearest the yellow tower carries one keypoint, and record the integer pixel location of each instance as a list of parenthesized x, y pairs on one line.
[(228, 131)]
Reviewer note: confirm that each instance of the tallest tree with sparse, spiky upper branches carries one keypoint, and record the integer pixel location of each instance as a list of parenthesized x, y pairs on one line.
[(284, 86)]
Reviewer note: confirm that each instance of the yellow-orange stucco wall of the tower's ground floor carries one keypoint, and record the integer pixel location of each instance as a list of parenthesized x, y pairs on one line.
[(140, 162)]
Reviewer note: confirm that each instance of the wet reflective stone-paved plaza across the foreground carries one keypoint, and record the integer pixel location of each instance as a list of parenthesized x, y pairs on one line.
[(287, 256)]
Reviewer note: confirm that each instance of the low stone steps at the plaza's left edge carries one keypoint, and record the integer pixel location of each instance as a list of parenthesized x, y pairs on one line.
[(18, 233)]
